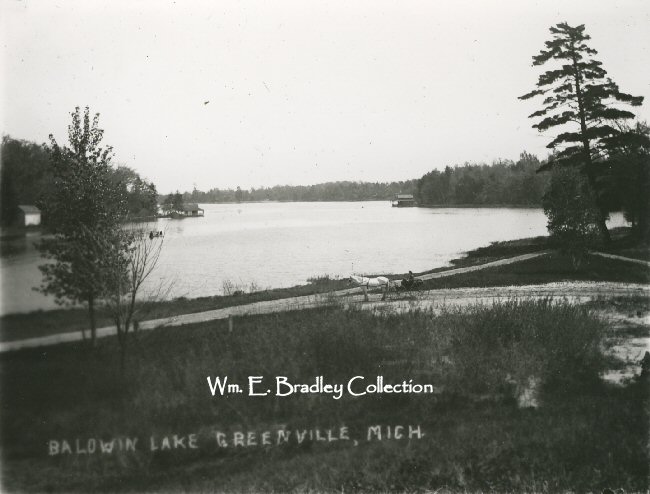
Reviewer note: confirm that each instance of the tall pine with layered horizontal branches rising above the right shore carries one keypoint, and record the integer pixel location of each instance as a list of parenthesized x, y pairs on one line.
[(579, 95)]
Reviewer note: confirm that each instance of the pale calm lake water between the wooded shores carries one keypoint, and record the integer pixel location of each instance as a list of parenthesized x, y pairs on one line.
[(263, 245)]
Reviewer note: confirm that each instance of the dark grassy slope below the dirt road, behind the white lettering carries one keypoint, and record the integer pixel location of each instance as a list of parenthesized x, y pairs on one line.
[(585, 436)]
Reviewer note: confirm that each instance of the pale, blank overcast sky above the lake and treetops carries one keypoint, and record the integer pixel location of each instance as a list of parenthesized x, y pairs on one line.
[(259, 93)]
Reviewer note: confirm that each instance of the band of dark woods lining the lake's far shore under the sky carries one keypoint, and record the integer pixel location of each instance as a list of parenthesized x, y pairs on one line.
[(26, 178)]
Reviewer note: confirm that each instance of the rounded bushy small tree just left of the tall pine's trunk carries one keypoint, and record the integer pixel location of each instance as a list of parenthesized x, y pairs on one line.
[(570, 206)]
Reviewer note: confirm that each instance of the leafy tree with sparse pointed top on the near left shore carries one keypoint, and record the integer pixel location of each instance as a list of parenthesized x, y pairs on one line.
[(84, 210)]
